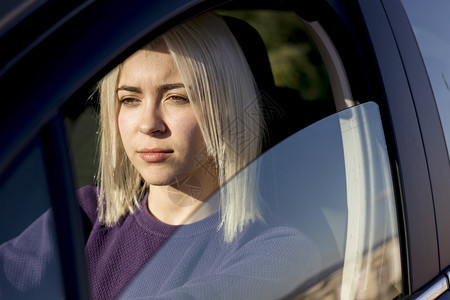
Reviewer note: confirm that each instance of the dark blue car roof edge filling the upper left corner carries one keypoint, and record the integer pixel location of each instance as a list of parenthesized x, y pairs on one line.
[(43, 69)]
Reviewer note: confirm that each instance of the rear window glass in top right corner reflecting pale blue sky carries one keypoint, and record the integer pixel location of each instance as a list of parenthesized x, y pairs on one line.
[(430, 24)]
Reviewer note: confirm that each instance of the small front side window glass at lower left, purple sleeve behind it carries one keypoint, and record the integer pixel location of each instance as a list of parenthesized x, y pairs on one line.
[(28, 248)]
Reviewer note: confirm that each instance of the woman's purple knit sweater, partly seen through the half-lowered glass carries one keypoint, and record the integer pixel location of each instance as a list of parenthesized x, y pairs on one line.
[(141, 257)]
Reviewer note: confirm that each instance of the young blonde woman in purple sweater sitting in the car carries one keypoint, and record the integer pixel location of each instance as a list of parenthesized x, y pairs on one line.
[(176, 211)]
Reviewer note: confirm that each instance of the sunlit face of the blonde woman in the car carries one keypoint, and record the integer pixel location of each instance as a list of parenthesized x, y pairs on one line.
[(159, 130)]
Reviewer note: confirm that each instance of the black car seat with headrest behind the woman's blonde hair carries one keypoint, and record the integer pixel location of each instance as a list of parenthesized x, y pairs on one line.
[(285, 111)]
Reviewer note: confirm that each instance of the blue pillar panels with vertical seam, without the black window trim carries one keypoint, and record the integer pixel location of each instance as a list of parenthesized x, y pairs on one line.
[(419, 139)]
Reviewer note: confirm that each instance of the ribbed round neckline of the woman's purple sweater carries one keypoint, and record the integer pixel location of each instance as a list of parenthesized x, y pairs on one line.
[(150, 224)]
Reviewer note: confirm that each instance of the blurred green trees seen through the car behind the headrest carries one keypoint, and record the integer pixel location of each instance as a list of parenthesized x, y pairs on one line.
[(295, 62)]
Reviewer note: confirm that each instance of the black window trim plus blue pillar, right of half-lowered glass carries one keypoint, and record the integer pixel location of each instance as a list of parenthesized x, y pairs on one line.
[(376, 45)]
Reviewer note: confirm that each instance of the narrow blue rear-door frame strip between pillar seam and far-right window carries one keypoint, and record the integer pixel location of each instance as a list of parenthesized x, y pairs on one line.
[(428, 115)]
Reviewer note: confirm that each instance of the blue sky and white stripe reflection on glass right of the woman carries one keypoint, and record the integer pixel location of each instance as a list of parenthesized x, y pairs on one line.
[(332, 180)]
